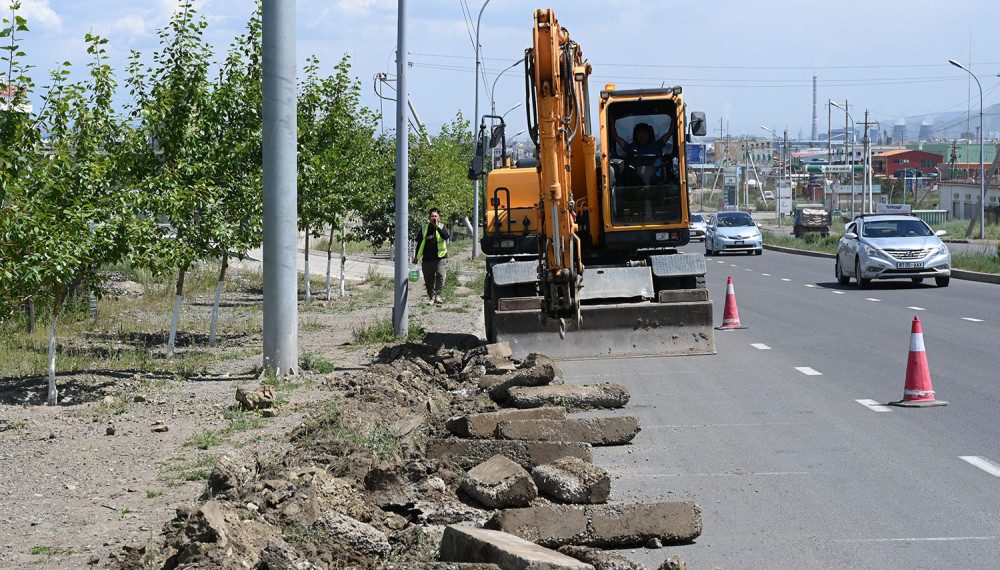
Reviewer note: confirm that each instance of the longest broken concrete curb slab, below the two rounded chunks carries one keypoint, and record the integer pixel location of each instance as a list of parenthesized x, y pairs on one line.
[(602, 525)]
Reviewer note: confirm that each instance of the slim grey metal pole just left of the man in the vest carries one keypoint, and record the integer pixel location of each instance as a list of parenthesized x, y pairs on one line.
[(400, 313)]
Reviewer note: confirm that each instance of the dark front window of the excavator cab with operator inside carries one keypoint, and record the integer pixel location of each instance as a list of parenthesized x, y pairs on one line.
[(646, 185)]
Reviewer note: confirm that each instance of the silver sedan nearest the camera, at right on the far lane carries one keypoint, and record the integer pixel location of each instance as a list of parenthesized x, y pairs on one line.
[(891, 247)]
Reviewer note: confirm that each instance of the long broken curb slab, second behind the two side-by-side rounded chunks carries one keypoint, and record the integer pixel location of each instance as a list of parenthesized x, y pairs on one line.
[(595, 431)]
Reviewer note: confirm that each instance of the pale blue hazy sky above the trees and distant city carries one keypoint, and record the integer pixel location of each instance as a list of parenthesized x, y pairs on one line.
[(749, 63)]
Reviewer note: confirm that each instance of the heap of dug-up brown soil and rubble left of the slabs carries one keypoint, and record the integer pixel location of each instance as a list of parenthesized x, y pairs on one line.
[(356, 488)]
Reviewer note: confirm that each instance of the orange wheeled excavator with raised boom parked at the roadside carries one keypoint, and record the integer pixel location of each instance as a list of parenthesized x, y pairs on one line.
[(580, 242)]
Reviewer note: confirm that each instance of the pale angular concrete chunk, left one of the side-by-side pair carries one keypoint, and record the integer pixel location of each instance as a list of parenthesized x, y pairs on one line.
[(499, 483)]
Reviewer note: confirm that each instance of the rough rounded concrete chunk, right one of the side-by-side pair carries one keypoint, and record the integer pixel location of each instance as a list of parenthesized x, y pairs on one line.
[(570, 480)]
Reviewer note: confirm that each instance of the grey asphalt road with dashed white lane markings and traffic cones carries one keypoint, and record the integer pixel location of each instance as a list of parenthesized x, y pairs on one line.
[(791, 471)]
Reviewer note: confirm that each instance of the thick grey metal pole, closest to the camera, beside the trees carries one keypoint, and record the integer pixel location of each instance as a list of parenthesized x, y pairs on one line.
[(281, 276)]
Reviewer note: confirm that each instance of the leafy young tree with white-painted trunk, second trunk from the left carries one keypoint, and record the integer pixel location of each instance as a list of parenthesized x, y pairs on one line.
[(171, 149)]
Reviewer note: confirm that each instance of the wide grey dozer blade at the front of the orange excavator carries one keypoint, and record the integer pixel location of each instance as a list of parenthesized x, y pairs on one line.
[(611, 331)]
